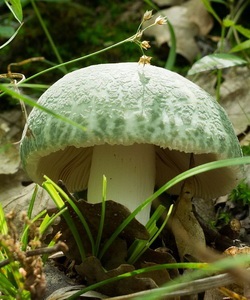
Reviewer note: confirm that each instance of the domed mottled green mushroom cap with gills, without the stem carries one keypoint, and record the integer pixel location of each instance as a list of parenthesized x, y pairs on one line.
[(127, 103)]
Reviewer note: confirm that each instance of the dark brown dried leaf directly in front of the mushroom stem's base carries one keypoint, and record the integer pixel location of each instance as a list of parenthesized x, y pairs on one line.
[(115, 214)]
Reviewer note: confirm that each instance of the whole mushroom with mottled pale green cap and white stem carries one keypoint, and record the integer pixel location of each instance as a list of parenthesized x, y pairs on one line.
[(142, 123)]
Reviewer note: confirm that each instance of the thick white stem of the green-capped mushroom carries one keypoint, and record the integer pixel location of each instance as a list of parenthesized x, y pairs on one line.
[(130, 173)]
